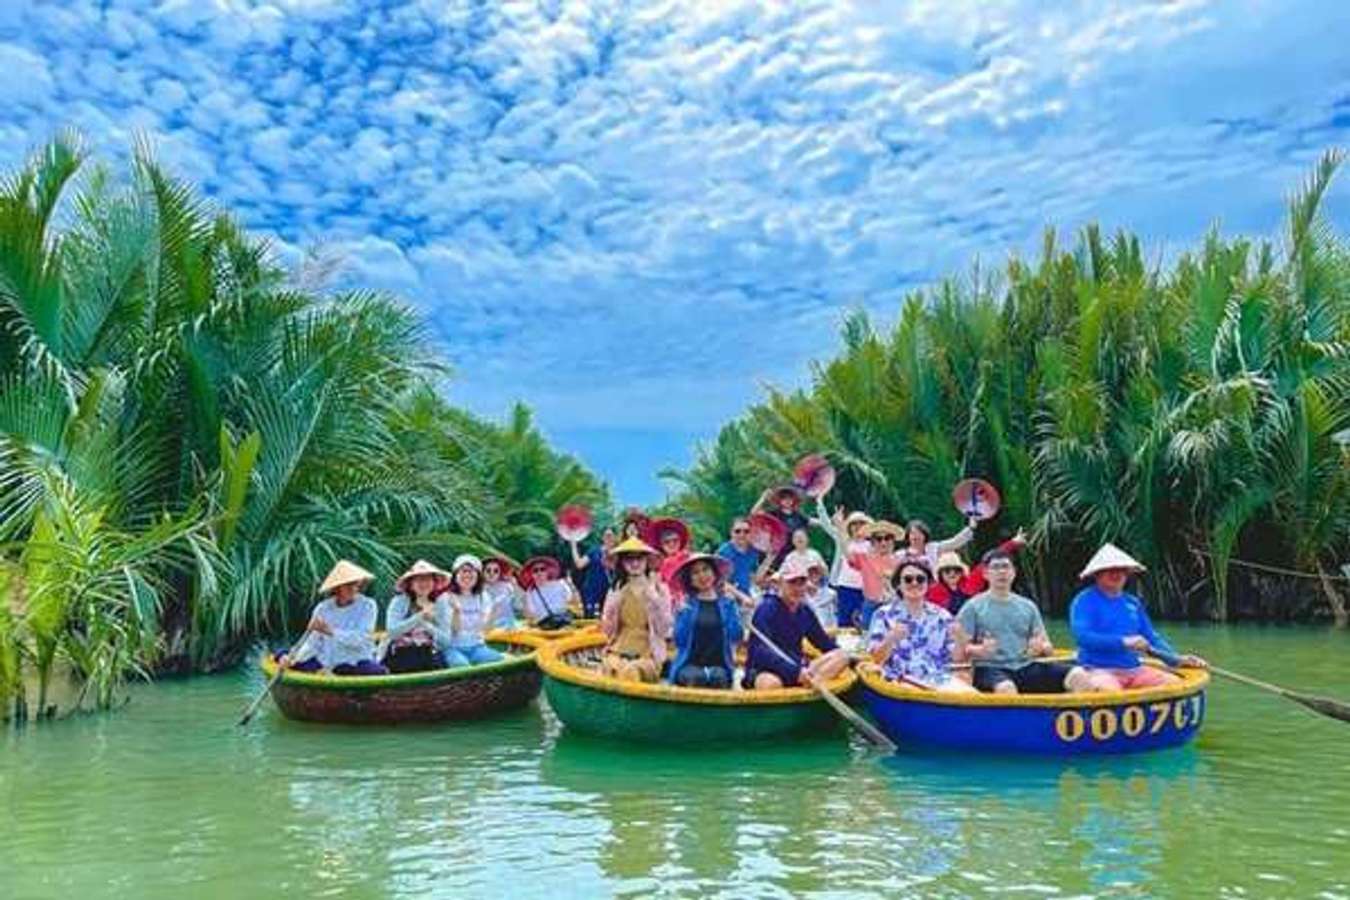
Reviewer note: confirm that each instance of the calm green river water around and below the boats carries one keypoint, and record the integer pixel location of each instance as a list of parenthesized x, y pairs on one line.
[(169, 799)]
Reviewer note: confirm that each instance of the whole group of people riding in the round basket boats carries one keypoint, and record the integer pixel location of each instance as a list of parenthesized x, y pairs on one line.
[(672, 613)]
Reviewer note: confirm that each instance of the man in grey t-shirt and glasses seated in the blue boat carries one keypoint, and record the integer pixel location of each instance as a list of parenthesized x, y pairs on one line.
[(1002, 635)]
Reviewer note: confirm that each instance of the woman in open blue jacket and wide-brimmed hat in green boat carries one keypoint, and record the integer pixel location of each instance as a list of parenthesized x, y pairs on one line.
[(707, 627)]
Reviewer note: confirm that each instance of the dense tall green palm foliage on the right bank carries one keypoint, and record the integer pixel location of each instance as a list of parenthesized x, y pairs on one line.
[(1194, 412)]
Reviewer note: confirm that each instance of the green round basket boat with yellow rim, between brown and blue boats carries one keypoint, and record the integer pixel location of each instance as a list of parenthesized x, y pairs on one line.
[(589, 702)]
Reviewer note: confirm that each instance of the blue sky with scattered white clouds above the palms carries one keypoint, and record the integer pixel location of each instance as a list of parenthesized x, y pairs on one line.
[(635, 215)]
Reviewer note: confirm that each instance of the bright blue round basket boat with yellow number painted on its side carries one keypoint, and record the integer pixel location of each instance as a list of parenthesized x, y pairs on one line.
[(1043, 724)]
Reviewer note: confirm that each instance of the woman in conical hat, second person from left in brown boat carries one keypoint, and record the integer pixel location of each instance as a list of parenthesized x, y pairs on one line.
[(418, 620)]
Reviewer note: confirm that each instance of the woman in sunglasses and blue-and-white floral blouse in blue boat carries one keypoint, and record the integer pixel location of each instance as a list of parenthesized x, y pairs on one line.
[(912, 639)]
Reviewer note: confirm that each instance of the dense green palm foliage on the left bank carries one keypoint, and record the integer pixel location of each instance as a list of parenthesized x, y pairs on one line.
[(190, 435)]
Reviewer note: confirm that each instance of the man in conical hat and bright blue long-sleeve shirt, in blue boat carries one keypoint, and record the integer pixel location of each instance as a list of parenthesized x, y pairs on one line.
[(1112, 628)]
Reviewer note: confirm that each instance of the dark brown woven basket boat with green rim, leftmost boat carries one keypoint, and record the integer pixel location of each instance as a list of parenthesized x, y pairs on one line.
[(465, 693)]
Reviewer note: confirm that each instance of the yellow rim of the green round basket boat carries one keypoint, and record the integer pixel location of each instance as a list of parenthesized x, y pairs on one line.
[(556, 667)]
